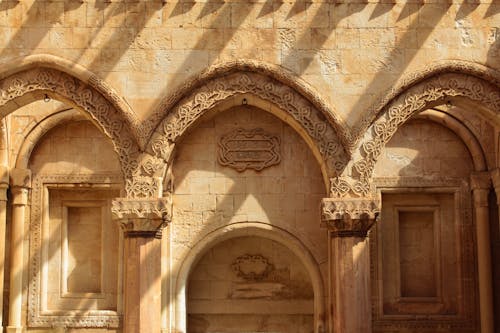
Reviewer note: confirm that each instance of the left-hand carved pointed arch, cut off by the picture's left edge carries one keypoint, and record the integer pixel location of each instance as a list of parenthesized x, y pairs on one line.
[(36, 77)]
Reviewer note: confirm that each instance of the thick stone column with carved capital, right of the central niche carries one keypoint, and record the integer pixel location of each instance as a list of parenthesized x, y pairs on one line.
[(348, 221)]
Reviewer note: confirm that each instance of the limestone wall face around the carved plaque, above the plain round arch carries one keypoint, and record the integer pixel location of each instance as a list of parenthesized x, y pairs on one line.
[(209, 196)]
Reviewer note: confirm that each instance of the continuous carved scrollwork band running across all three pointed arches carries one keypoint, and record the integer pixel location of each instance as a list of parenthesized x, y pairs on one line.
[(143, 171)]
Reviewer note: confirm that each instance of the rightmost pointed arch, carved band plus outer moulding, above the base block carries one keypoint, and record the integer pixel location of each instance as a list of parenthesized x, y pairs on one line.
[(455, 81)]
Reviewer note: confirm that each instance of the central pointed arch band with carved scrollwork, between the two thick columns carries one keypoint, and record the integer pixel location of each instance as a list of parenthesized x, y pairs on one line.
[(317, 124)]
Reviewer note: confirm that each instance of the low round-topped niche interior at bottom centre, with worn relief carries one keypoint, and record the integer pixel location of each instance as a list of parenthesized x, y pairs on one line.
[(250, 284)]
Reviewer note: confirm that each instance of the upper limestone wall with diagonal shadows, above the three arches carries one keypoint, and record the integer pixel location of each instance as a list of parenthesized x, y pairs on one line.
[(357, 50)]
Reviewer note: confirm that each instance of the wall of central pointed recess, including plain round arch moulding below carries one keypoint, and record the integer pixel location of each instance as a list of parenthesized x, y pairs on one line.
[(211, 197)]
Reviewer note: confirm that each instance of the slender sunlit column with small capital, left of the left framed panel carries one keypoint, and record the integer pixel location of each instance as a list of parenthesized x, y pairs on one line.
[(21, 183)]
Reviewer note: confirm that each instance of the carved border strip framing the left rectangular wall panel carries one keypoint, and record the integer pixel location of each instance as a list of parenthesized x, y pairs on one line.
[(37, 316)]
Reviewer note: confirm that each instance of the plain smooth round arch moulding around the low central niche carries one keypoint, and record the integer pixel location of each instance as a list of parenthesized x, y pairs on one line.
[(240, 229)]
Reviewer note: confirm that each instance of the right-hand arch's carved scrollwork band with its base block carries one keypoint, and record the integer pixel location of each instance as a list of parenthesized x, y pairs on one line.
[(425, 94)]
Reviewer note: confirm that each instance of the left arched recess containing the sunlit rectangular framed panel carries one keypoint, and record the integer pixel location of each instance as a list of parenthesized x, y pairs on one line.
[(75, 256)]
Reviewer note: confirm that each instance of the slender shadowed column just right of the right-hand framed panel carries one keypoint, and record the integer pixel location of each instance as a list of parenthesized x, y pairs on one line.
[(480, 184)]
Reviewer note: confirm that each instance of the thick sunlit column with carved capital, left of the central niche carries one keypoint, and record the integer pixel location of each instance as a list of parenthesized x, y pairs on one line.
[(142, 221)]
